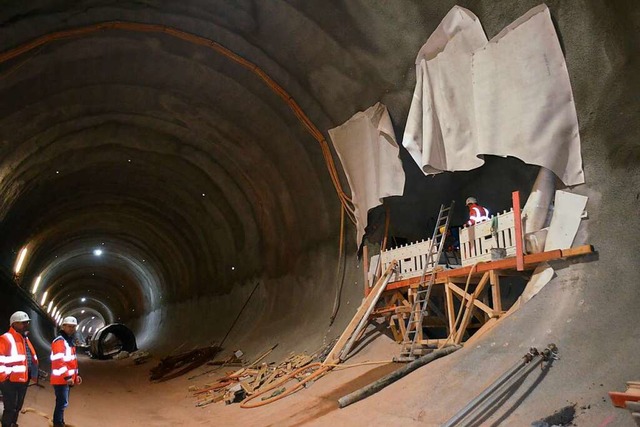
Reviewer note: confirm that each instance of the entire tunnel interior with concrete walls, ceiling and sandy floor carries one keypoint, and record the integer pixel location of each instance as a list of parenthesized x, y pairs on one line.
[(168, 166)]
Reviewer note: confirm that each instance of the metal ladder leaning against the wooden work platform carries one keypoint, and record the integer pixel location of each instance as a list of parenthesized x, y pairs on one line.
[(419, 308)]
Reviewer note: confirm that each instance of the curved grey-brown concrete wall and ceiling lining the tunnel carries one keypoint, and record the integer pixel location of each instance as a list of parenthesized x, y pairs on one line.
[(115, 136)]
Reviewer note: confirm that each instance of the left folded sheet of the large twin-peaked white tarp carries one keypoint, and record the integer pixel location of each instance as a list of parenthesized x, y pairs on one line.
[(441, 129)]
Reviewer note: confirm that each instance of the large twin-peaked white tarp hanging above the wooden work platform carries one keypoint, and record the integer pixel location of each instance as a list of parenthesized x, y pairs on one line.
[(508, 97)]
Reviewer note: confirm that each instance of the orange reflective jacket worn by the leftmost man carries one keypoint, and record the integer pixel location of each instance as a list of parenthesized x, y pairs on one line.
[(13, 357)]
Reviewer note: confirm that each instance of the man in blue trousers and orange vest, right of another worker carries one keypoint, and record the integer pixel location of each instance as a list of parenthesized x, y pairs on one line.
[(64, 367)]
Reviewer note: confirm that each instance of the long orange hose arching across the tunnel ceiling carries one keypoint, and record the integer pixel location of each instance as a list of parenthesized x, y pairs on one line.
[(312, 129)]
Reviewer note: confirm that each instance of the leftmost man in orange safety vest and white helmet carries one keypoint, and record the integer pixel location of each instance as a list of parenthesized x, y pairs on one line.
[(18, 364)]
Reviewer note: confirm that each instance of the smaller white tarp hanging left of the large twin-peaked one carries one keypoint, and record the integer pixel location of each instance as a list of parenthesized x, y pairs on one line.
[(369, 153)]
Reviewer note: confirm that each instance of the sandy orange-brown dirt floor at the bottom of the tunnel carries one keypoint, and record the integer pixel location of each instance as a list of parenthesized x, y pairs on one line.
[(118, 393)]
